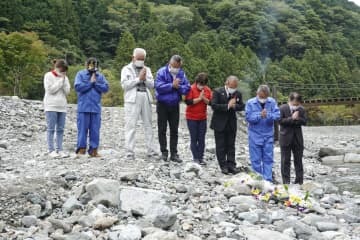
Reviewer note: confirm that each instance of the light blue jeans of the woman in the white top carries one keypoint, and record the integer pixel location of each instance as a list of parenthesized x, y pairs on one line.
[(55, 121)]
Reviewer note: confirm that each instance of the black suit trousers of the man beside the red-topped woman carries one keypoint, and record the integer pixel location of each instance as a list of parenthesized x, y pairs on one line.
[(225, 148)]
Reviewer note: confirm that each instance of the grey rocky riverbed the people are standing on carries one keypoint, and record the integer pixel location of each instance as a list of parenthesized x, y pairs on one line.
[(113, 198)]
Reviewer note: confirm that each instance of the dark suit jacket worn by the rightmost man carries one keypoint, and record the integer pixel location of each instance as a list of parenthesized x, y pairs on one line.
[(290, 129)]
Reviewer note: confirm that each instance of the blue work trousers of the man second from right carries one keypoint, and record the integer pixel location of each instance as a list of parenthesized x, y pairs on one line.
[(262, 157)]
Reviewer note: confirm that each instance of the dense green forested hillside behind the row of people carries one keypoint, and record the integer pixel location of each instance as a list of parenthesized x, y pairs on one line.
[(309, 45)]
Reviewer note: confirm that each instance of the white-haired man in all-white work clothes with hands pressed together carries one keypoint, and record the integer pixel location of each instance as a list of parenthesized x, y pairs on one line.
[(137, 81)]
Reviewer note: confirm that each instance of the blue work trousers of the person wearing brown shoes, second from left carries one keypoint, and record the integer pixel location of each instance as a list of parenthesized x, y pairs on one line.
[(88, 124)]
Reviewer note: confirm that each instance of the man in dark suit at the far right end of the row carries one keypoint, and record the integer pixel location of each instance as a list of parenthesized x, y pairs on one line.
[(292, 117)]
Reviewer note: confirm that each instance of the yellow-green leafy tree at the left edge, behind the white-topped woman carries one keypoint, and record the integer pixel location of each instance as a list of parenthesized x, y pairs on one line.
[(24, 57)]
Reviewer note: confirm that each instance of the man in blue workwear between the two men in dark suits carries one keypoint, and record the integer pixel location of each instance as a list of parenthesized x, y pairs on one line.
[(261, 112)]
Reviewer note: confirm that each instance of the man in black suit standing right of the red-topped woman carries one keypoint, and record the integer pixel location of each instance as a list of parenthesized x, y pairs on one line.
[(225, 102)]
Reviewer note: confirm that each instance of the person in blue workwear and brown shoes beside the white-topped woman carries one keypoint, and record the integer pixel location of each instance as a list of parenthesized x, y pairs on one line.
[(89, 85)]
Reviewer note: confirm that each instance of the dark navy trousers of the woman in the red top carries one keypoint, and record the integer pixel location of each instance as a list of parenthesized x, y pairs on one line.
[(197, 129)]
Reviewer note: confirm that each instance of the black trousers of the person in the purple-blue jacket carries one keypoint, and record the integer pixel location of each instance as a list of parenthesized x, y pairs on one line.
[(168, 114)]
